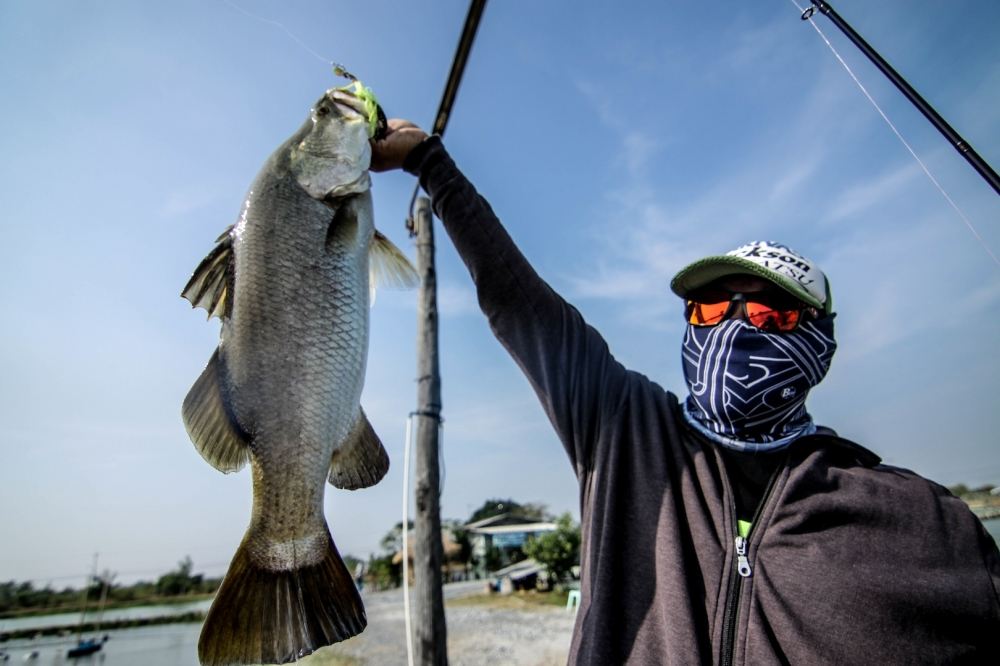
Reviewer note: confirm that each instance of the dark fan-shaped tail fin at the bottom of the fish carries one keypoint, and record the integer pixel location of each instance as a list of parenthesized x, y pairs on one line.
[(261, 616)]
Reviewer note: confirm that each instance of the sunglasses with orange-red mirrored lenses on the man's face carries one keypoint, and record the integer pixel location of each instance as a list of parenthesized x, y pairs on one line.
[(767, 313)]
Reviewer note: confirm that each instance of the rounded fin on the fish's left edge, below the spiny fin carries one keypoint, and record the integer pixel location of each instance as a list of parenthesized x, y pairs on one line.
[(218, 437)]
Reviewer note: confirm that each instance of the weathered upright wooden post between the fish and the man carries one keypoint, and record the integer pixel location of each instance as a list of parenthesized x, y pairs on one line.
[(429, 629)]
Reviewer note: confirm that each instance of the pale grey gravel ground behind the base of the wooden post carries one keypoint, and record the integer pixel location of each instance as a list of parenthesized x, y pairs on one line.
[(478, 633)]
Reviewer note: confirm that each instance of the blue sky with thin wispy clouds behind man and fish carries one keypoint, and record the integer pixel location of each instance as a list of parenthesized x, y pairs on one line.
[(617, 142)]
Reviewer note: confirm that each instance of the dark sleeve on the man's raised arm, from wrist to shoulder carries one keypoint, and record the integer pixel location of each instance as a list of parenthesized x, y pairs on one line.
[(566, 361)]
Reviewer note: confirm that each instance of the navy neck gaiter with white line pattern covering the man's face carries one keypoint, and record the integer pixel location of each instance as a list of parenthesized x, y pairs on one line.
[(748, 388)]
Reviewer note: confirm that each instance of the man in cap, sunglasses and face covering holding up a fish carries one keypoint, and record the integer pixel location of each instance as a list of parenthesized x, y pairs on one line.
[(728, 528)]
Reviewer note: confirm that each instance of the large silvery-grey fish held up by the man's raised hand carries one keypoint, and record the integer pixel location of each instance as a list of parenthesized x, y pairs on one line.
[(290, 282)]
